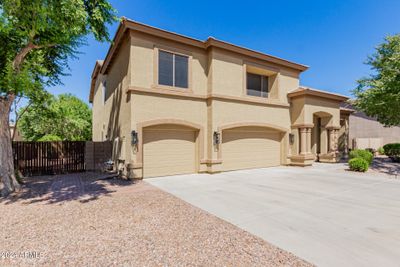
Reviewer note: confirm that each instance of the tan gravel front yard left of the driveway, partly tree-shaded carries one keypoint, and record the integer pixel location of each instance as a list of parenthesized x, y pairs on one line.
[(79, 220)]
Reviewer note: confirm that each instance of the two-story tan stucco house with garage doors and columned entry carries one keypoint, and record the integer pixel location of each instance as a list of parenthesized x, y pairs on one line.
[(173, 105)]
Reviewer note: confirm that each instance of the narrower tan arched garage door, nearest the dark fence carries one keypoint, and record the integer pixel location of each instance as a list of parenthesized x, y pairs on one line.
[(168, 150)]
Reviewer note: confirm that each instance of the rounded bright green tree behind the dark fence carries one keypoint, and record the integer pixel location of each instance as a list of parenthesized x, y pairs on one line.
[(65, 117)]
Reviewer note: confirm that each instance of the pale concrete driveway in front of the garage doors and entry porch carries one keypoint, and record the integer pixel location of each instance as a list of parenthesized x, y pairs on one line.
[(323, 214)]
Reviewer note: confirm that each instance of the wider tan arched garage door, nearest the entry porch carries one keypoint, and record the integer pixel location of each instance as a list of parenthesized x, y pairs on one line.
[(246, 148)]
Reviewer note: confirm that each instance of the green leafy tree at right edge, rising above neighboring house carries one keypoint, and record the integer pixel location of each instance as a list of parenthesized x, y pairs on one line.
[(379, 94)]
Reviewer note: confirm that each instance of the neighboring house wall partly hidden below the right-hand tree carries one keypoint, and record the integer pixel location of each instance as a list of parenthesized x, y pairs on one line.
[(366, 132)]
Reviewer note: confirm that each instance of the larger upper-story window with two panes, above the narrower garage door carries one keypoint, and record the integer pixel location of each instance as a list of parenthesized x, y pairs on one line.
[(173, 69)]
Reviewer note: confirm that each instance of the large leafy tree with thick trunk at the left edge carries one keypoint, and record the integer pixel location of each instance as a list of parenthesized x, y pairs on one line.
[(37, 38)]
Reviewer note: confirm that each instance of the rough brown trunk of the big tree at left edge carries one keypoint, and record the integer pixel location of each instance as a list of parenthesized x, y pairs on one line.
[(8, 181)]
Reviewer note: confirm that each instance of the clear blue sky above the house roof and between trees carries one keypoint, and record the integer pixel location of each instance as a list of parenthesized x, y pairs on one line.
[(333, 38)]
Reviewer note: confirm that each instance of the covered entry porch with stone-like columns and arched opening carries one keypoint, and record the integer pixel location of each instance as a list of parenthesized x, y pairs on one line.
[(315, 120)]
